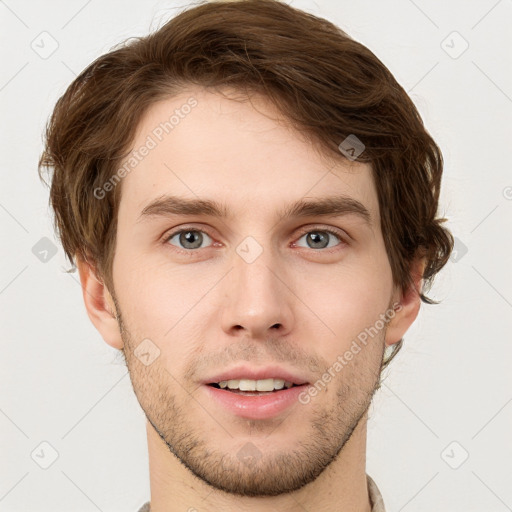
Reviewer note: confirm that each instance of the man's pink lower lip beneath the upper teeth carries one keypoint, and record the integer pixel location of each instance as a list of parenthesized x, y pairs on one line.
[(256, 407)]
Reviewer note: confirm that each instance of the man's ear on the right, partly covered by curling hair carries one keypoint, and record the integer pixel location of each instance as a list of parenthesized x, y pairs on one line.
[(408, 305)]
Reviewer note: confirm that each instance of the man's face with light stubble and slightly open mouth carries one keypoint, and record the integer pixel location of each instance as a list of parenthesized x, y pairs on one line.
[(200, 294)]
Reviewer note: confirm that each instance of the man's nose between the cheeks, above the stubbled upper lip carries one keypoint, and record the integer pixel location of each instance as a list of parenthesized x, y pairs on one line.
[(258, 298)]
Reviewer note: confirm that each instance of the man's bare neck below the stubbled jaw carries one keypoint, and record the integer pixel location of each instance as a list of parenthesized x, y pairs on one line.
[(341, 486)]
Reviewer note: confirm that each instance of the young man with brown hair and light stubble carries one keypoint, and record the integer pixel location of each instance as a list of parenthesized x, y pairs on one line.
[(251, 201)]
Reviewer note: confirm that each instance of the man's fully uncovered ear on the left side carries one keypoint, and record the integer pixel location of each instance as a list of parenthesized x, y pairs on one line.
[(99, 305)]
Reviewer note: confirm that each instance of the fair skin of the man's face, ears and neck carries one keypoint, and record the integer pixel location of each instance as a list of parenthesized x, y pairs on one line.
[(209, 309)]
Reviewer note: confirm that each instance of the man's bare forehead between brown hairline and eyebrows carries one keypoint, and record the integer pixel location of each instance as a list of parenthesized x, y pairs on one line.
[(200, 144)]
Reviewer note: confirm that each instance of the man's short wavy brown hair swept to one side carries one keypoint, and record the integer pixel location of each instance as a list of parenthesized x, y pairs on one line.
[(327, 85)]
